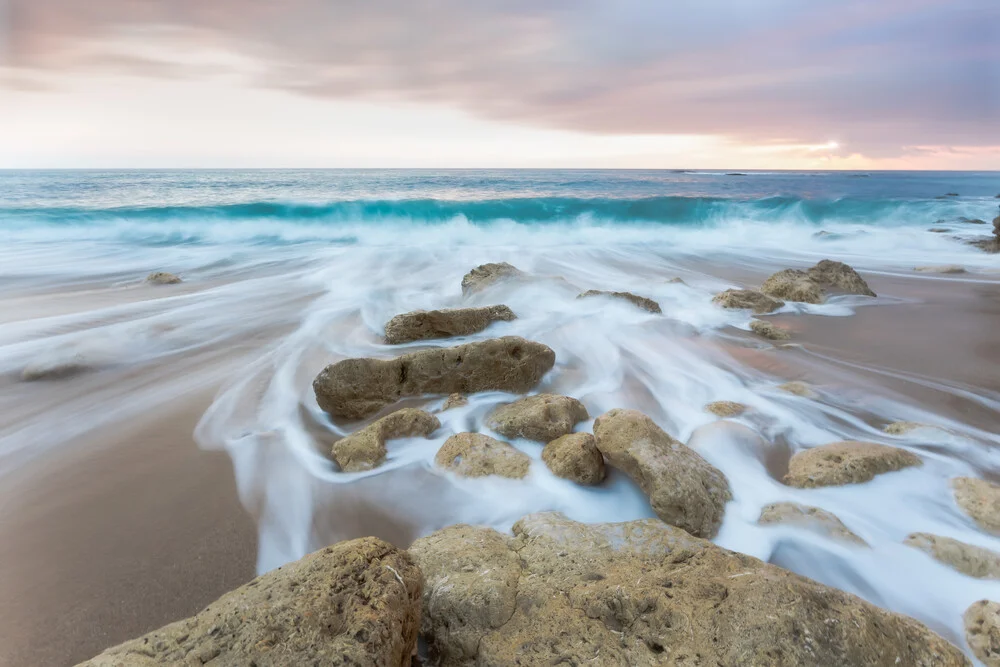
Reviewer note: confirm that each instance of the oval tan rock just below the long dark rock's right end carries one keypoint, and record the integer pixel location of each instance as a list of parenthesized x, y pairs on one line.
[(541, 418)]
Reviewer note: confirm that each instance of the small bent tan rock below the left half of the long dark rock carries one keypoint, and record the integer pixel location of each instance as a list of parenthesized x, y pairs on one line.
[(365, 449)]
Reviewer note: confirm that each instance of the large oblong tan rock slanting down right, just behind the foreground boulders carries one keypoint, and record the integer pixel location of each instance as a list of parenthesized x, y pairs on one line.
[(683, 488)]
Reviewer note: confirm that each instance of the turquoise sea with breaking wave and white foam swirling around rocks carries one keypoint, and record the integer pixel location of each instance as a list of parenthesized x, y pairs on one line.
[(273, 294)]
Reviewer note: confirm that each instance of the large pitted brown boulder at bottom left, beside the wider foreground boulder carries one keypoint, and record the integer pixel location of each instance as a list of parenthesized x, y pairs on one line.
[(354, 603)]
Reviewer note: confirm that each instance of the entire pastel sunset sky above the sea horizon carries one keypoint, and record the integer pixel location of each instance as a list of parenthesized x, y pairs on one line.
[(765, 84)]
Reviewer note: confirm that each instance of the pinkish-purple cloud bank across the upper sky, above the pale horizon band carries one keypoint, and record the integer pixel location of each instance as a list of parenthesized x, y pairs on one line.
[(872, 75)]
